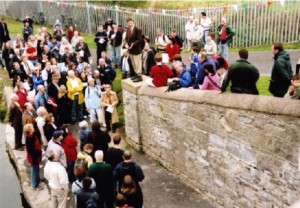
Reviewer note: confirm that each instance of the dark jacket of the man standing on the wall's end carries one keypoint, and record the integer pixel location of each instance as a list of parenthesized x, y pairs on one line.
[(136, 40)]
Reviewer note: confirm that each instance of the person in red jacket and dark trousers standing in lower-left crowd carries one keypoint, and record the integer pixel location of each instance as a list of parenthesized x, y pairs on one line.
[(69, 144)]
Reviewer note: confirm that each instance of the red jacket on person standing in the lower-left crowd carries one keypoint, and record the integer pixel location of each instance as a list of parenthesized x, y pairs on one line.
[(69, 145)]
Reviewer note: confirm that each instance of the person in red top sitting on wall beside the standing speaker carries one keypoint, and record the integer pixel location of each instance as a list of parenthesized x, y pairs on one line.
[(159, 73)]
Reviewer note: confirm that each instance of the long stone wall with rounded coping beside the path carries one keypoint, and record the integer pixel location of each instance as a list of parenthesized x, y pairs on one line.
[(238, 150)]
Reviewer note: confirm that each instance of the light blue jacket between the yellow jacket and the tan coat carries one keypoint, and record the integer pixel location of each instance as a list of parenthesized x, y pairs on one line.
[(92, 98)]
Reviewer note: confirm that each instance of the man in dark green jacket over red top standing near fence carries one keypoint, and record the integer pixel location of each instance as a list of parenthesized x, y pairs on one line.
[(225, 37)]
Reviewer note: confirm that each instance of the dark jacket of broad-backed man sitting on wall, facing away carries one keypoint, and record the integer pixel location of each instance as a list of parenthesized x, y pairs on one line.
[(243, 77)]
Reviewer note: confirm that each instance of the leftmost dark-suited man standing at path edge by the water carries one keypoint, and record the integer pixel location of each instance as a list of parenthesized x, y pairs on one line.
[(15, 120)]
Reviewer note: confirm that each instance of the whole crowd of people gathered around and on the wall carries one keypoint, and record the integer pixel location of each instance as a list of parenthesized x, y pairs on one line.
[(55, 85)]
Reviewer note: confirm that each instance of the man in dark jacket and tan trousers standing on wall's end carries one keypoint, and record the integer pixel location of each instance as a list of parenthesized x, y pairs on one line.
[(134, 44)]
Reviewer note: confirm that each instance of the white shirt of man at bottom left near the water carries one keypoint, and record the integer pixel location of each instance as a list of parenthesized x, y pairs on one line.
[(56, 175)]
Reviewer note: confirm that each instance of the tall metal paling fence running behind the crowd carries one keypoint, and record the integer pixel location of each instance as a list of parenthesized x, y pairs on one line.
[(255, 23)]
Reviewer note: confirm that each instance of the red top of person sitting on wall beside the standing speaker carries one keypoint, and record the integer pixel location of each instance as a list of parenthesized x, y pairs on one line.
[(160, 75)]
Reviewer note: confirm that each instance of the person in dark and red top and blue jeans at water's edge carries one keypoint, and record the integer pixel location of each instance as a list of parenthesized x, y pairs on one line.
[(34, 155)]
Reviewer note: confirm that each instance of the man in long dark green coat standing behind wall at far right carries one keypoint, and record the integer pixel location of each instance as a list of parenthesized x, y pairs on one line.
[(281, 72)]
